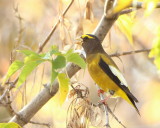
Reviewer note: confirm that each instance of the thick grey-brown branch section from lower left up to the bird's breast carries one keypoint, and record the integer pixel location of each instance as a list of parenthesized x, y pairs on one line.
[(42, 98)]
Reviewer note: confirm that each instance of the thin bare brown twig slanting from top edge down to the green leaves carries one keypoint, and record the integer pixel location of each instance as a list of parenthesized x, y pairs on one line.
[(54, 28)]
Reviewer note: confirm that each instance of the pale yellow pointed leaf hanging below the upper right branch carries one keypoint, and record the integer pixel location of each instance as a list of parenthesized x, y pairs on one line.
[(125, 24)]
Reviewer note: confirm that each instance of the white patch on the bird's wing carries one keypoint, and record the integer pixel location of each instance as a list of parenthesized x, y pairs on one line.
[(119, 75)]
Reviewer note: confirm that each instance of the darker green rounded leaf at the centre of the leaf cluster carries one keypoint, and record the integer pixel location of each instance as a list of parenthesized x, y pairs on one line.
[(59, 62)]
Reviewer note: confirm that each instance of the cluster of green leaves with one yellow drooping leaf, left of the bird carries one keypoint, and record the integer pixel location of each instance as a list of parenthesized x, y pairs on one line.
[(58, 61)]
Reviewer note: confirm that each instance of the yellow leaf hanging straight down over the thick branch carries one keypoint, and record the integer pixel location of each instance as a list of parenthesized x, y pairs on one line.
[(63, 86)]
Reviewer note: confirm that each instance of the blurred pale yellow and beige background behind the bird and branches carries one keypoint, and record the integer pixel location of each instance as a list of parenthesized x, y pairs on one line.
[(25, 24)]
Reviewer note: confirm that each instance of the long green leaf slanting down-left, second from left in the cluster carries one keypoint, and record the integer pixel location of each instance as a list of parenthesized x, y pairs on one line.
[(27, 69)]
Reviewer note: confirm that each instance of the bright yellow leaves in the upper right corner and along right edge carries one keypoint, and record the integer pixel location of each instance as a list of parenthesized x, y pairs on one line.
[(125, 24)]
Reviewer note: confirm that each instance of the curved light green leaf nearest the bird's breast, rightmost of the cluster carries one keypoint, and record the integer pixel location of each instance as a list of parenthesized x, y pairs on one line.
[(76, 59)]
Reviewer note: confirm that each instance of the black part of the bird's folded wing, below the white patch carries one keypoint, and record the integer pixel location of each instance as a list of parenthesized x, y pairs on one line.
[(105, 67)]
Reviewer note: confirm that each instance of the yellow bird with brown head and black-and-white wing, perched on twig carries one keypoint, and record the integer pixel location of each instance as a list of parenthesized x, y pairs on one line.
[(104, 71)]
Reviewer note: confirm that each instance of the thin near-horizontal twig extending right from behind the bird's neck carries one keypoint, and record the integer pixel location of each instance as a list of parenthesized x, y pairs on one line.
[(130, 52)]
